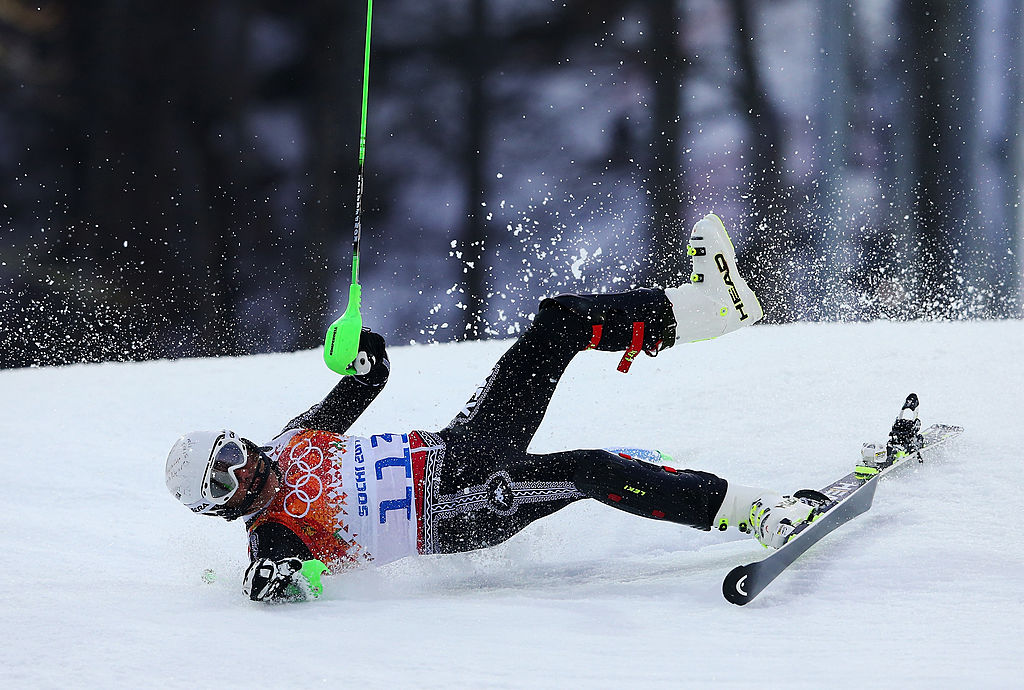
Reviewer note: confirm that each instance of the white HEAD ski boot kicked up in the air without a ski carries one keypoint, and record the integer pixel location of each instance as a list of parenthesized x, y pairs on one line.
[(718, 300)]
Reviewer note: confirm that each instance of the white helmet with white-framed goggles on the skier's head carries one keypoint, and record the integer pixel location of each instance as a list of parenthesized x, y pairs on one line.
[(201, 471)]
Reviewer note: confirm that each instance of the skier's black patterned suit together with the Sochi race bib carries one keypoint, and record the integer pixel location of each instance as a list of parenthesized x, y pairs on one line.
[(350, 501)]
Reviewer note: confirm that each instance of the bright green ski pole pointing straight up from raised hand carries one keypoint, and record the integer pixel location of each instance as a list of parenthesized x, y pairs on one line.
[(342, 344)]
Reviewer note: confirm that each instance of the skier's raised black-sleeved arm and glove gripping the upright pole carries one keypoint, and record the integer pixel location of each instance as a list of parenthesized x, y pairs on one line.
[(353, 396)]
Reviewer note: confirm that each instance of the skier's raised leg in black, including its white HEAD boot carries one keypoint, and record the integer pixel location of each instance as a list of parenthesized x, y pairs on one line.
[(513, 402)]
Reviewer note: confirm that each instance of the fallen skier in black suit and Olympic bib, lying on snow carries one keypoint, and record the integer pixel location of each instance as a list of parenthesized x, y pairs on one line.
[(316, 501)]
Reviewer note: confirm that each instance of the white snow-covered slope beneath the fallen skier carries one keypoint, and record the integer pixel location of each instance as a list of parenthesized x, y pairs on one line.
[(102, 584)]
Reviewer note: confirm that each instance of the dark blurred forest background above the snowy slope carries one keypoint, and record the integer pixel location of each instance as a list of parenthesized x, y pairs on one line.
[(179, 180)]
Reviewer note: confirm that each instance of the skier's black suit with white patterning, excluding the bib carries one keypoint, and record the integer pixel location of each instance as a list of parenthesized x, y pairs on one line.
[(481, 486)]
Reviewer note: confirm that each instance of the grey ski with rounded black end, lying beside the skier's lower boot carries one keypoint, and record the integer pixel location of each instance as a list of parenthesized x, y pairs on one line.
[(848, 498)]
